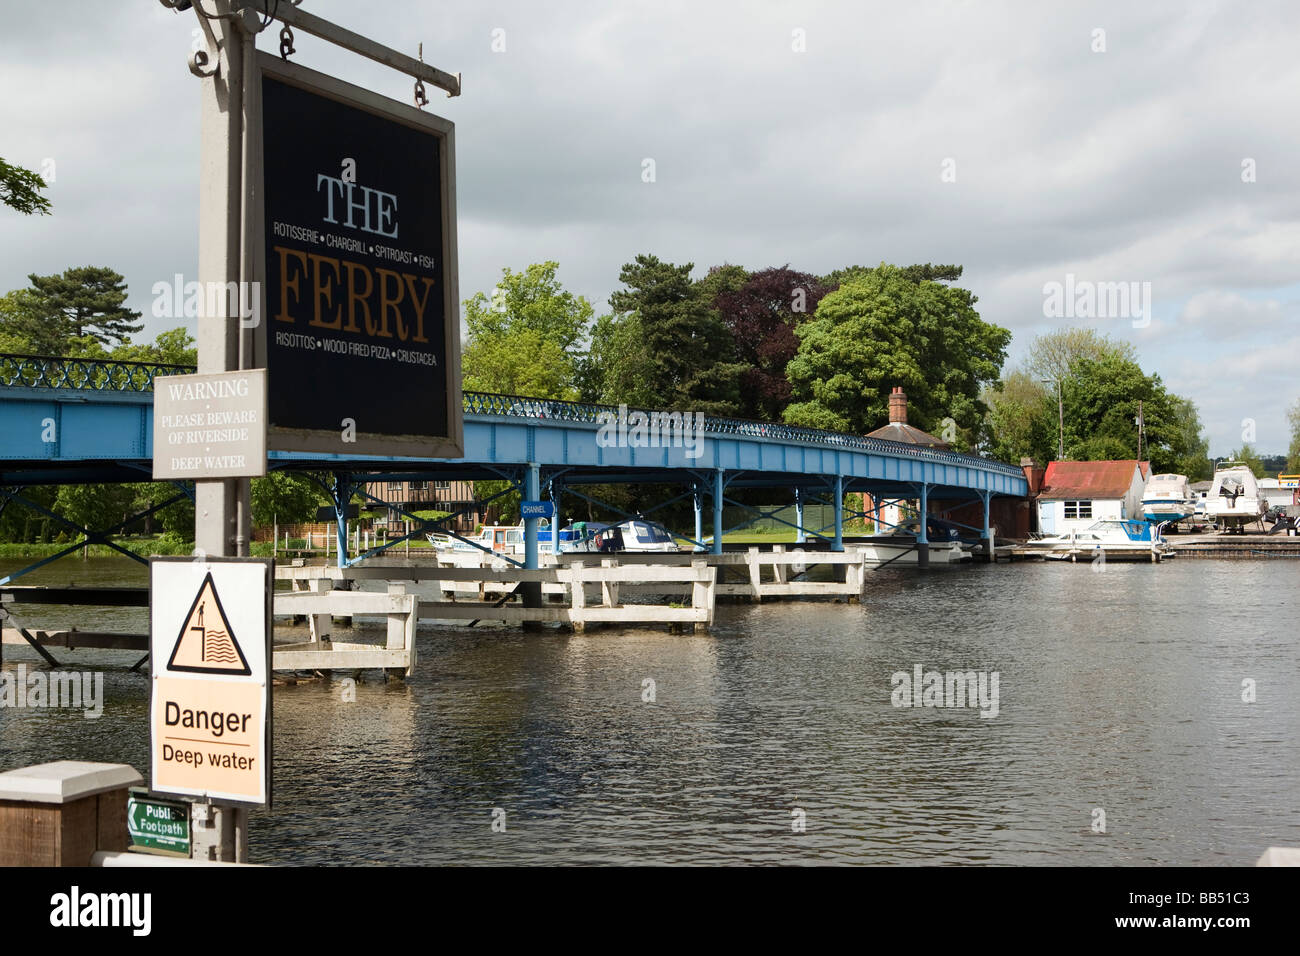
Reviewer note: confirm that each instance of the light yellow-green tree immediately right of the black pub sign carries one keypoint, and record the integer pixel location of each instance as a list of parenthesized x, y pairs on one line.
[(525, 340)]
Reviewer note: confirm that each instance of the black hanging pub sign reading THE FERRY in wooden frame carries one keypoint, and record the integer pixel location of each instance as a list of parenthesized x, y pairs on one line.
[(359, 330)]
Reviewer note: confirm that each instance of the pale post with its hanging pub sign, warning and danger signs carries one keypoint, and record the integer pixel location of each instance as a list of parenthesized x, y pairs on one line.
[(365, 358)]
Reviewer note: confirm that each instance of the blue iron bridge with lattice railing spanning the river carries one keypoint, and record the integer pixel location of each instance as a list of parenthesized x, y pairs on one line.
[(79, 421)]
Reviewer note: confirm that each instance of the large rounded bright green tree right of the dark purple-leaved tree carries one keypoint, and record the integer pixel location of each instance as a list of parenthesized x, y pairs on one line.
[(882, 331)]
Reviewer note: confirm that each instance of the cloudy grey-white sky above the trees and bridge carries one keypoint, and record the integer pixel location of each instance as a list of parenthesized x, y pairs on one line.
[(1110, 142)]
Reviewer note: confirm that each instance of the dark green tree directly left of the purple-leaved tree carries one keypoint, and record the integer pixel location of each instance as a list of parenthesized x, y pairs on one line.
[(674, 353)]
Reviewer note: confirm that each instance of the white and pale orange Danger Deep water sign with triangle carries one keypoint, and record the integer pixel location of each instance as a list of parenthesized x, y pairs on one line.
[(210, 643)]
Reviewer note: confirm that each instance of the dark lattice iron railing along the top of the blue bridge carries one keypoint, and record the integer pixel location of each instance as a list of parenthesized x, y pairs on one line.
[(111, 375)]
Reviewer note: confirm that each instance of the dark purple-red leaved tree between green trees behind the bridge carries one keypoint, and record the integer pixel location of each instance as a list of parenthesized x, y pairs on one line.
[(762, 315)]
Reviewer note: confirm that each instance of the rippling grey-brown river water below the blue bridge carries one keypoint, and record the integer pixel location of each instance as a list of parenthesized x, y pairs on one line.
[(1120, 693)]
